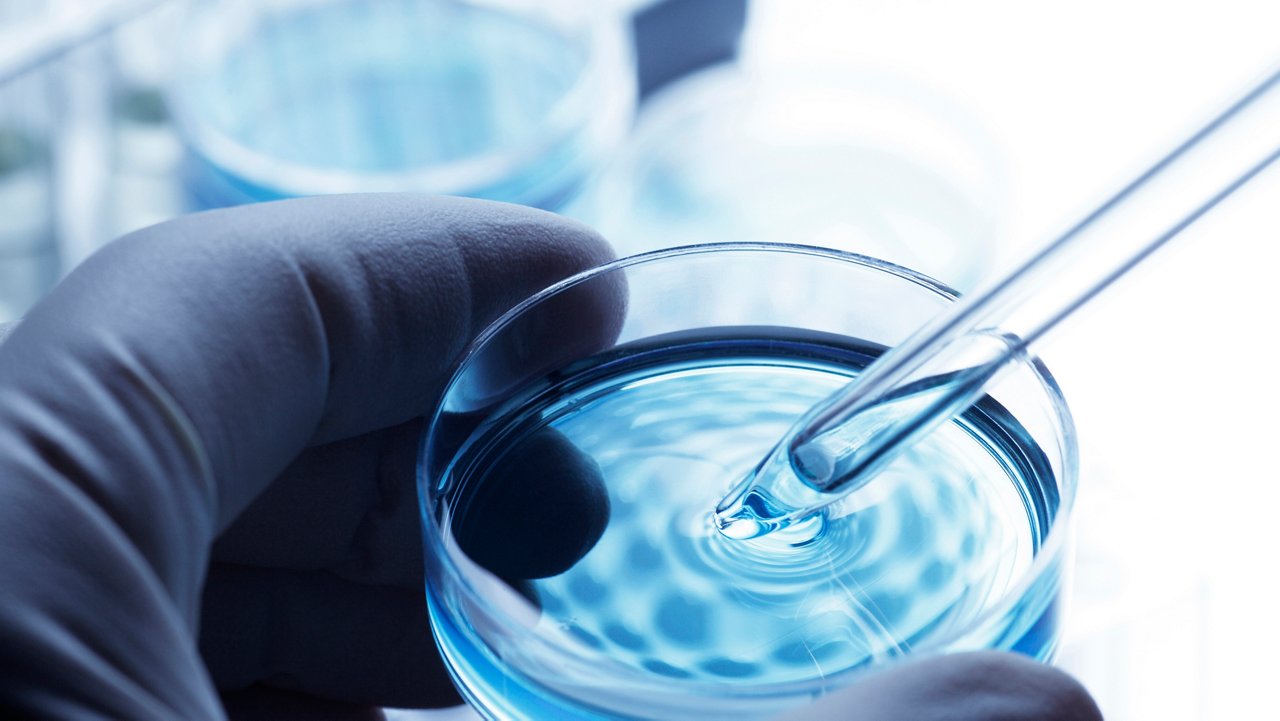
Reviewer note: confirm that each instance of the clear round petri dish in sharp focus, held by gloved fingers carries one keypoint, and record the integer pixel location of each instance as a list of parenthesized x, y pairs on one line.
[(570, 473)]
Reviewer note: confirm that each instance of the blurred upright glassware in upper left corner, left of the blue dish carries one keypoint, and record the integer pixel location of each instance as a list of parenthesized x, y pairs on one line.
[(70, 168)]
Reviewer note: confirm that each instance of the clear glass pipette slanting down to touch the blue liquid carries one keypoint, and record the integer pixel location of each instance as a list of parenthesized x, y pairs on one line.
[(945, 367)]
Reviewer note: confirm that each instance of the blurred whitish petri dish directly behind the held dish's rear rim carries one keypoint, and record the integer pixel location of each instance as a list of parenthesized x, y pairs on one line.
[(856, 162)]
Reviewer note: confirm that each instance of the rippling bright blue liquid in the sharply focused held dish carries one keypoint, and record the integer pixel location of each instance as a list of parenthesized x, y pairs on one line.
[(917, 556)]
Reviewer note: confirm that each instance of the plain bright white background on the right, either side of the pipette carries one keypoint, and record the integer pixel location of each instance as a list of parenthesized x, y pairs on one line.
[(1172, 373)]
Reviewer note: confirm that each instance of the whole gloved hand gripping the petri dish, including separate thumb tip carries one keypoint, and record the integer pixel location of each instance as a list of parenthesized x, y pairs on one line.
[(208, 437)]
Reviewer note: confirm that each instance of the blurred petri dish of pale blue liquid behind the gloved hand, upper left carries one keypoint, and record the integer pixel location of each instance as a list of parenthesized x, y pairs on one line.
[(509, 102)]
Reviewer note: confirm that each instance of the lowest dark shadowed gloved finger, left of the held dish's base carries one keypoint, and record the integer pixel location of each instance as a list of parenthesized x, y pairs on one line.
[(319, 636)]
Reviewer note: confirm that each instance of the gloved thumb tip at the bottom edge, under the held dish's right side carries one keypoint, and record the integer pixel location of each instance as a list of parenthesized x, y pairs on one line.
[(966, 687)]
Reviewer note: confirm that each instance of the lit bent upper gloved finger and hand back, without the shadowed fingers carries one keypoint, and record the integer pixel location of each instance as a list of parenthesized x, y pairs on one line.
[(175, 375)]
